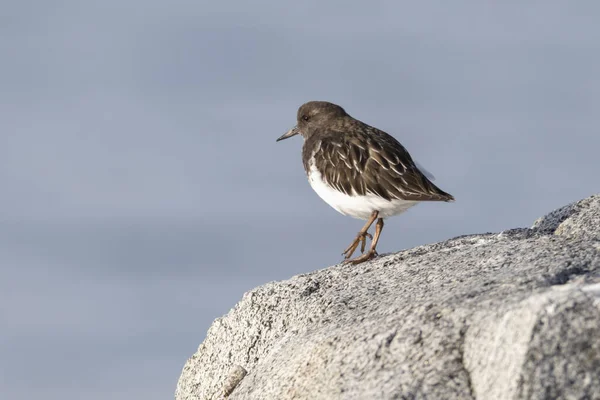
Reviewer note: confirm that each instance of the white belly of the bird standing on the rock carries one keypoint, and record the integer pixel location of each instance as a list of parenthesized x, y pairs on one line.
[(360, 207)]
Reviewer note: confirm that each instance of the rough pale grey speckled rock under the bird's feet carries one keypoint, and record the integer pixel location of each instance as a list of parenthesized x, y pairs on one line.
[(511, 315)]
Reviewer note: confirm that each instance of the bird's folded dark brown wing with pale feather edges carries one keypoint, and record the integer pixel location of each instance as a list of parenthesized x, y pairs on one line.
[(374, 163)]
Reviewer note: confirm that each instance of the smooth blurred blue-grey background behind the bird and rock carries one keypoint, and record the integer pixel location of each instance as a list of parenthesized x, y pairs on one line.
[(143, 192)]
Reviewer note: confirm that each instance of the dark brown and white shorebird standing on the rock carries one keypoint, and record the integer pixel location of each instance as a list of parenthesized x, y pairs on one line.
[(359, 170)]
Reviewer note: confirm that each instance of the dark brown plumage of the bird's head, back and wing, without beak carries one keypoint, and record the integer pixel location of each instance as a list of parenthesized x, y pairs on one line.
[(356, 158)]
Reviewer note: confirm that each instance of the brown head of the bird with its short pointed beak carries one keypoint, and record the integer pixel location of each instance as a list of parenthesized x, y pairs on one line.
[(312, 116)]
